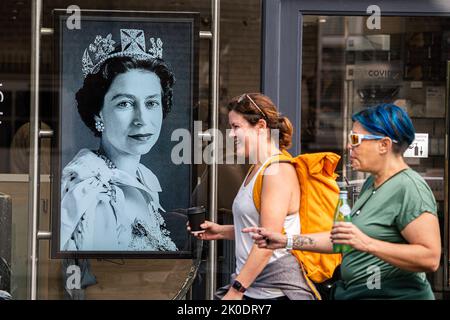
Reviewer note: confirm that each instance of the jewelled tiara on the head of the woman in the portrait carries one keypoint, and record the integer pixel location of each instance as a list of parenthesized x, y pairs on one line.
[(132, 45)]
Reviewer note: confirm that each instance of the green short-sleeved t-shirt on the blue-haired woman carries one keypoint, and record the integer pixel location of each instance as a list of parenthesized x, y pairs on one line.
[(382, 214)]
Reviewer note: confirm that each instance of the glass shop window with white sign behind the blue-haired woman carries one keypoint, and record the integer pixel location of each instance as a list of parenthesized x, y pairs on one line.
[(347, 67)]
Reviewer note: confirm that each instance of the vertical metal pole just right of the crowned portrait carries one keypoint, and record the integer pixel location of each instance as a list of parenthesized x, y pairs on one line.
[(212, 256)]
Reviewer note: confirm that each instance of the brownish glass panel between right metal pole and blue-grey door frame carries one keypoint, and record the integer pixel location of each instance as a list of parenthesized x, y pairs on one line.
[(240, 71)]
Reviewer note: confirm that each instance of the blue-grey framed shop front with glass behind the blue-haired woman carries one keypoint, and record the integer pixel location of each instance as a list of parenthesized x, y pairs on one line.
[(330, 59)]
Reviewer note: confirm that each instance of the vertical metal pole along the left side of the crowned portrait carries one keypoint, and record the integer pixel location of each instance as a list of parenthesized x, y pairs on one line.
[(34, 147)]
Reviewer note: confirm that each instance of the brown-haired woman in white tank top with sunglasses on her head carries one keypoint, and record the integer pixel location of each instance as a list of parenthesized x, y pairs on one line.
[(262, 273)]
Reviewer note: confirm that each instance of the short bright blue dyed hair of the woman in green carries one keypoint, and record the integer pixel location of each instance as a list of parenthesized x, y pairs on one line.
[(388, 120)]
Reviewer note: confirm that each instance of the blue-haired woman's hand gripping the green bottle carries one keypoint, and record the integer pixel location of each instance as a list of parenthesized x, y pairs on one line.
[(348, 233)]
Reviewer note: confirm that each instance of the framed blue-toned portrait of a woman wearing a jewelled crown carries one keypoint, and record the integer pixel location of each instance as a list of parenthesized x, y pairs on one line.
[(124, 82)]
